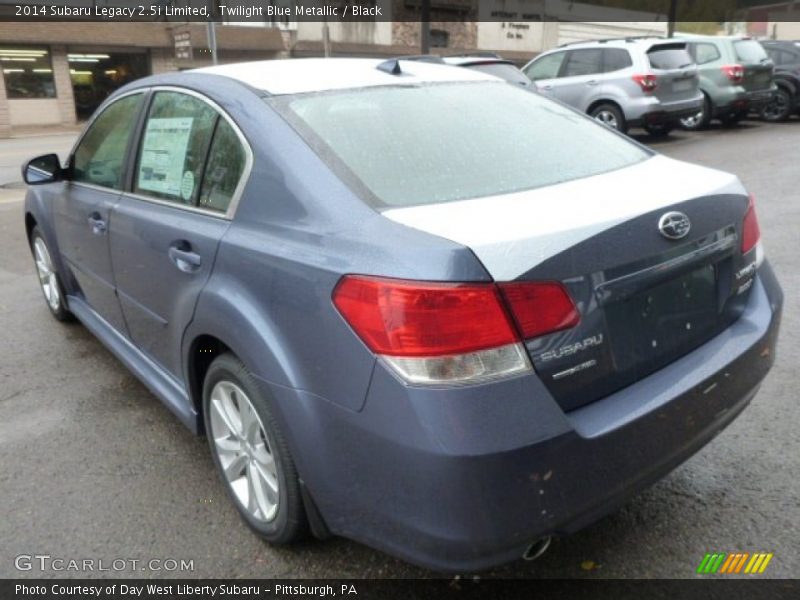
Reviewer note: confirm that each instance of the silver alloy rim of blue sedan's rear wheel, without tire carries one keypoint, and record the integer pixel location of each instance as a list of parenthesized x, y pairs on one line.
[(244, 451)]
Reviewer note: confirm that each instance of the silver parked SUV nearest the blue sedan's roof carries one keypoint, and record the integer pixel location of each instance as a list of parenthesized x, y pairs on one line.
[(632, 82)]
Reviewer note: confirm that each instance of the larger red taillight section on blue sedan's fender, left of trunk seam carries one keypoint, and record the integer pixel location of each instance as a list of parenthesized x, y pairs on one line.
[(409, 318)]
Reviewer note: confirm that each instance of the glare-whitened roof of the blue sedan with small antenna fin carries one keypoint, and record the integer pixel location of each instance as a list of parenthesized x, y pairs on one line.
[(302, 75)]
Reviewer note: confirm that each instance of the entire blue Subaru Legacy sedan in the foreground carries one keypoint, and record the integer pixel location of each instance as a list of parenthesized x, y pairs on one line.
[(408, 303)]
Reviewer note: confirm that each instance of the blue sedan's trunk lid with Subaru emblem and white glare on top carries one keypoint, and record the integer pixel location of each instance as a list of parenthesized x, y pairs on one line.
[(644, 299)]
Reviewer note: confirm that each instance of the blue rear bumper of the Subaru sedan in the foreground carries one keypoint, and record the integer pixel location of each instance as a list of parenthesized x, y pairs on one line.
[(465, 479)]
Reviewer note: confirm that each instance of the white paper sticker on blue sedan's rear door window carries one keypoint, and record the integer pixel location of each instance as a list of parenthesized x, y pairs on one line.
[(161, 168)]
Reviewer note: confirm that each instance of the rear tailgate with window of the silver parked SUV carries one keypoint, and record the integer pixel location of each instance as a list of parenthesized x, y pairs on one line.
[(675, 70)]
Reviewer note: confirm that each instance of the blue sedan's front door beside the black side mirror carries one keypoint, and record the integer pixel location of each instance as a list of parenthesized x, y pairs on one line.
[(84, 207)]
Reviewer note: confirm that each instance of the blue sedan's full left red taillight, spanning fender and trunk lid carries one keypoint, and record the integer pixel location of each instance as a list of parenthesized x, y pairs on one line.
[(401, 318)]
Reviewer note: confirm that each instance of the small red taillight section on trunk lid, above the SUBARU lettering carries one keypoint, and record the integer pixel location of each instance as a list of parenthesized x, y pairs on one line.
[(540, 307)]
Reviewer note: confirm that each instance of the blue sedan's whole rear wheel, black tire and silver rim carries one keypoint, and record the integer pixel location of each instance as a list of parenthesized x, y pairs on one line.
[(251, 453)]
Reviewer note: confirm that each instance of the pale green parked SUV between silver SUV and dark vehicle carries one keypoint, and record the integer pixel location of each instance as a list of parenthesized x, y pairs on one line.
[(735, 78)]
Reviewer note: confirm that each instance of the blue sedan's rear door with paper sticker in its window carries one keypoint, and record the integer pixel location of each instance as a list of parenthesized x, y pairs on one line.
[(165, 233)]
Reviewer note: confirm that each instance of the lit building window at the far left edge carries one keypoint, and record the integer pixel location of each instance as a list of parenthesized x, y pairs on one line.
[(28, 72)]
